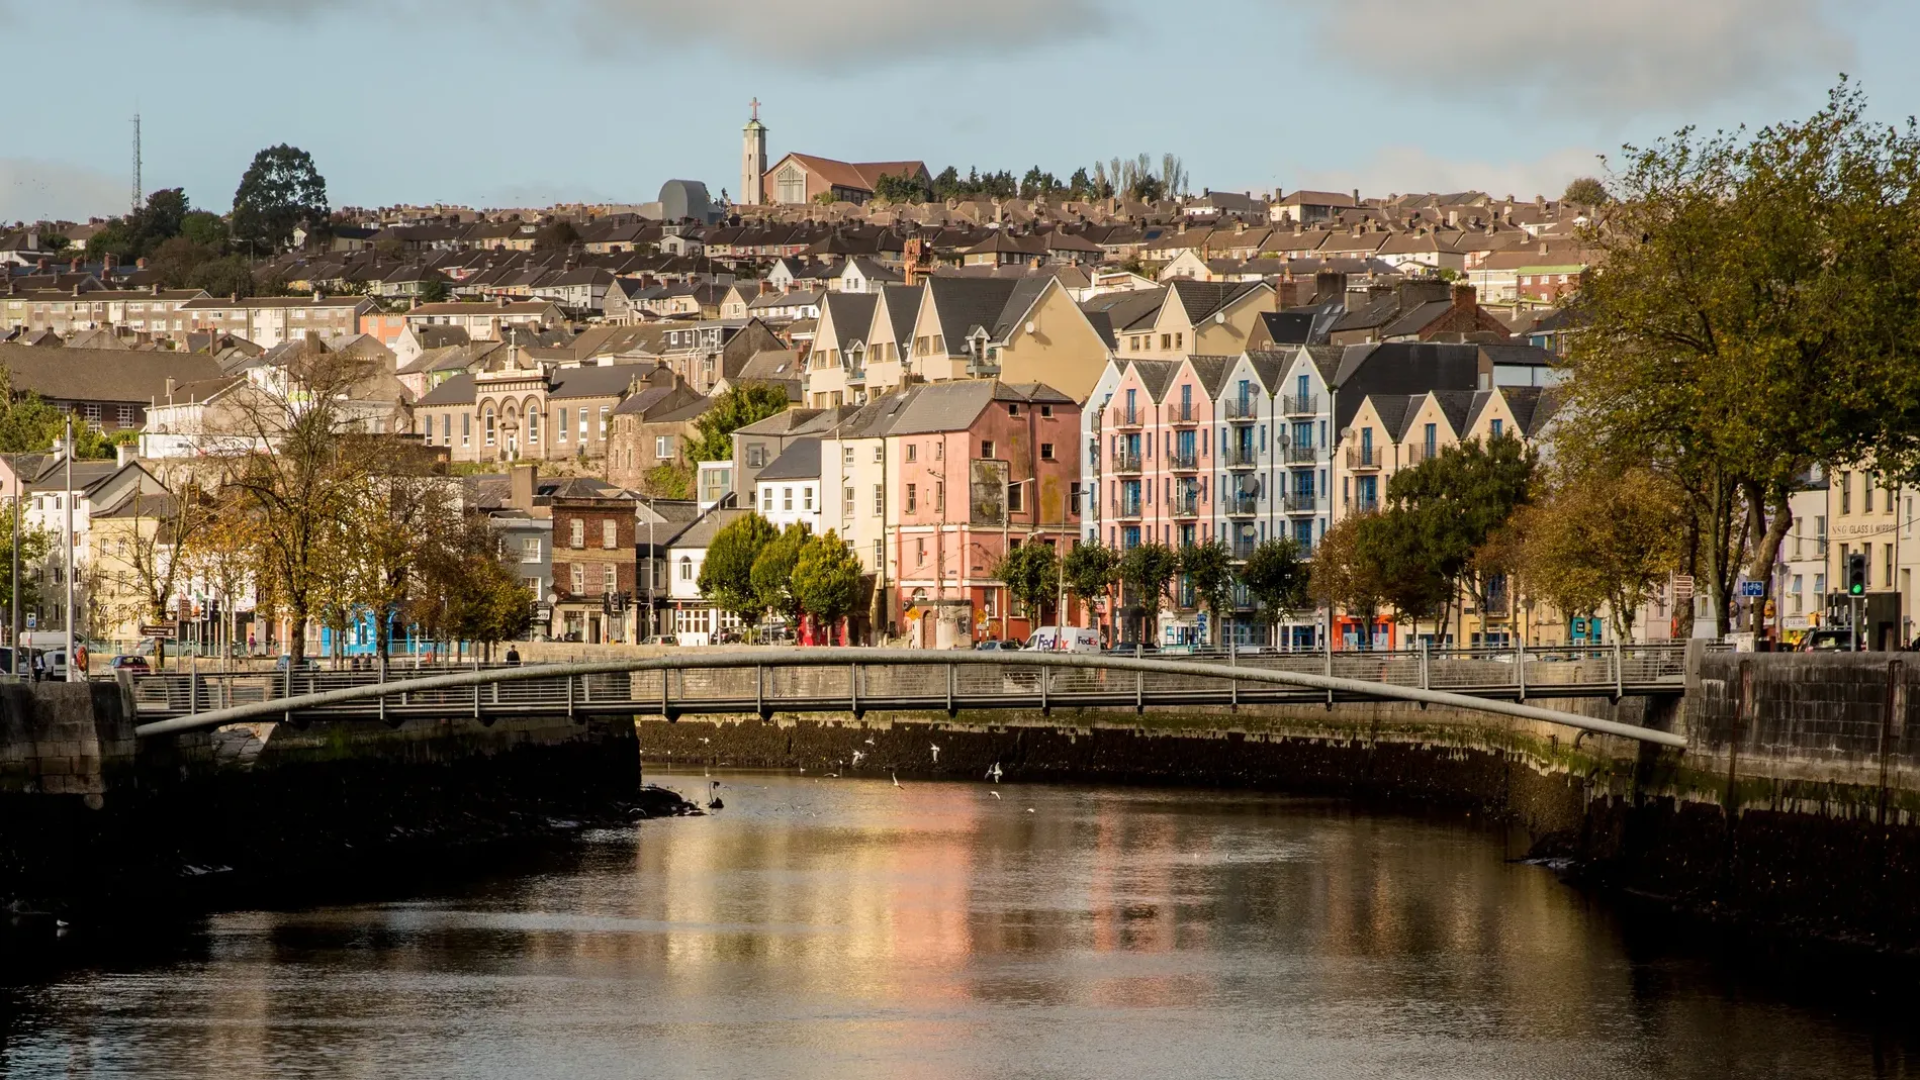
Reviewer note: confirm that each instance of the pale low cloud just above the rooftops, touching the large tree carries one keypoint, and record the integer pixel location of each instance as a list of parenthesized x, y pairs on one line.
[(1399, 170)]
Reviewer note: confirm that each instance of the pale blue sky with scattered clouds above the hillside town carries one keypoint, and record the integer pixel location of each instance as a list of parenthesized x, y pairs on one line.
[(529, 103)]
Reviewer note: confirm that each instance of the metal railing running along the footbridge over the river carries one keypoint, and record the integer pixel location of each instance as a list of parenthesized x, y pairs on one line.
[(842, 679)]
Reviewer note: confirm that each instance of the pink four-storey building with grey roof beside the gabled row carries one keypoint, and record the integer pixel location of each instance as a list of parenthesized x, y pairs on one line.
[(974, 468)]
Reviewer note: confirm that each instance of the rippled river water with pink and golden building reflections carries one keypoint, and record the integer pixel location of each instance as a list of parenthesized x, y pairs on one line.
[(848, 929)]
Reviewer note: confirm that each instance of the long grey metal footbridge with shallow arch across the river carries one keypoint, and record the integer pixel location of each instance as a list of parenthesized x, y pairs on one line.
[(915, 681)]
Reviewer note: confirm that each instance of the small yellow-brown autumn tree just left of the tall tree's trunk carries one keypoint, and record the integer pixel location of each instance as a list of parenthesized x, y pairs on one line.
[(1604, 539)]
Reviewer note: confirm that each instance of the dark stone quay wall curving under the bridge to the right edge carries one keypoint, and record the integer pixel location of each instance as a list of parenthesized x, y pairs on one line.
[(1796, 804)]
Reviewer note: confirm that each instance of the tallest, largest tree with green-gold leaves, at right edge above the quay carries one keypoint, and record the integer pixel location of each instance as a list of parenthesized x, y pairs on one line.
[(1733, 345)]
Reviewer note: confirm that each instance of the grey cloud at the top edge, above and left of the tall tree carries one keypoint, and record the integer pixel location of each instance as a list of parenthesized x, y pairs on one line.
[(1618, 59)]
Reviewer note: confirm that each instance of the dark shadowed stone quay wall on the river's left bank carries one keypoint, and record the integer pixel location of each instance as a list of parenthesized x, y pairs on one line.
[(97, 825)]
